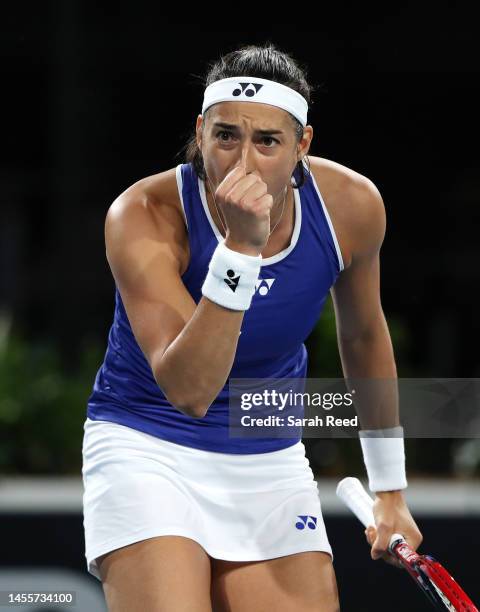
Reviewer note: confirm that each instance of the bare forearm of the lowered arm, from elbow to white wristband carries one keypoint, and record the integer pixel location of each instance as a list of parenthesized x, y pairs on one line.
[(369, 367)]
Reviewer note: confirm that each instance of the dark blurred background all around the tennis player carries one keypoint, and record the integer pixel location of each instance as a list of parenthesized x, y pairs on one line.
[(97, 97)]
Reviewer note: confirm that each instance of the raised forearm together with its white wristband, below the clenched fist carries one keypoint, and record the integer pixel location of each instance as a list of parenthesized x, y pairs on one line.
[(196, 365)]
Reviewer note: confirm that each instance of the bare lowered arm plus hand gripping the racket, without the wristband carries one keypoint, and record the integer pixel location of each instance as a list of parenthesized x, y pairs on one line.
[(366, 353)]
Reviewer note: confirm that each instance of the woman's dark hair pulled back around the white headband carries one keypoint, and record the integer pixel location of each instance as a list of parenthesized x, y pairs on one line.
[(265, 62)]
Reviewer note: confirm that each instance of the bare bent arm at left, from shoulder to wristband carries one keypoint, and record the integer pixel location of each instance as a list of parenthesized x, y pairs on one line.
[(190, 348)]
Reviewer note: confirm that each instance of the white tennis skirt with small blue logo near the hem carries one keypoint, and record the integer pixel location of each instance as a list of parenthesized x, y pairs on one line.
[(237, 507)]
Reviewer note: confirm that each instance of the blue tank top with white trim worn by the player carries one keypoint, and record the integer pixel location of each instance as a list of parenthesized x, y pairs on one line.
[(289, 297)]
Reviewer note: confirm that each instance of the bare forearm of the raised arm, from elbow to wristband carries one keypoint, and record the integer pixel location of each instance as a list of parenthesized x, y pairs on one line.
[(196, 365)]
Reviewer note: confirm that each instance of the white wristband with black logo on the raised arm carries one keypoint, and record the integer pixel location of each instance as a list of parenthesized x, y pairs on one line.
[(231, 278)]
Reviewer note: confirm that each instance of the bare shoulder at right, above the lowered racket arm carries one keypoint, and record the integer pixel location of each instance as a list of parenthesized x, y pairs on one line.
[(354, 204)]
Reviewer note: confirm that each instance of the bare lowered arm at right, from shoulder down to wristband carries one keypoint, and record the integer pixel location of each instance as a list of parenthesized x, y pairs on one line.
[(363, 338)]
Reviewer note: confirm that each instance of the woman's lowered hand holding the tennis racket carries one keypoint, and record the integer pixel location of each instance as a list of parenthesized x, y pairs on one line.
[(391, 516)]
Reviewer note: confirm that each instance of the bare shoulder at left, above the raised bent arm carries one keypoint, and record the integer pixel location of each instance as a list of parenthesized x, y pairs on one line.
[(149, 210)]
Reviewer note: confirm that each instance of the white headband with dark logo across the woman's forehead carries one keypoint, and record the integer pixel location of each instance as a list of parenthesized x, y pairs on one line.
[(262, 91)]
